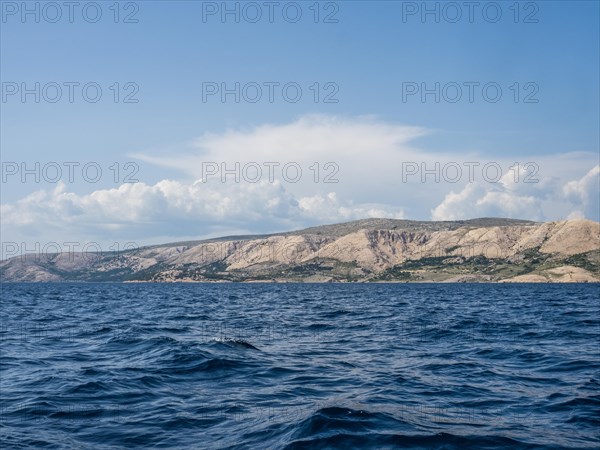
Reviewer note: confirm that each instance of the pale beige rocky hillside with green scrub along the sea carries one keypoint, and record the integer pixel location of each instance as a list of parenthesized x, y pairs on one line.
[(487, 249)]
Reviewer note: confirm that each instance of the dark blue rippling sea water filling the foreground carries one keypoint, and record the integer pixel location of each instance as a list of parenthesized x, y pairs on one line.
[(300, 366)]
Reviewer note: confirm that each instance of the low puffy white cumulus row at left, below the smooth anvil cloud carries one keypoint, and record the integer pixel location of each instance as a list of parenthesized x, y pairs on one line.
[(170, 207)]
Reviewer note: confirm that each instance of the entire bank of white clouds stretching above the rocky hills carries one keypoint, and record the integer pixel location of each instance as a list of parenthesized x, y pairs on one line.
[(369, 159)]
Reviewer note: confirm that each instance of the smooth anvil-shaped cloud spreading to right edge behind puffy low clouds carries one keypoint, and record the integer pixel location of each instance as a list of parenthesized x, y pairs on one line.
[(372, 160)]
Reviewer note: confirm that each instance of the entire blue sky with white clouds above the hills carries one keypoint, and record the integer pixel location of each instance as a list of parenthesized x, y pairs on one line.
[(154, 121)]
